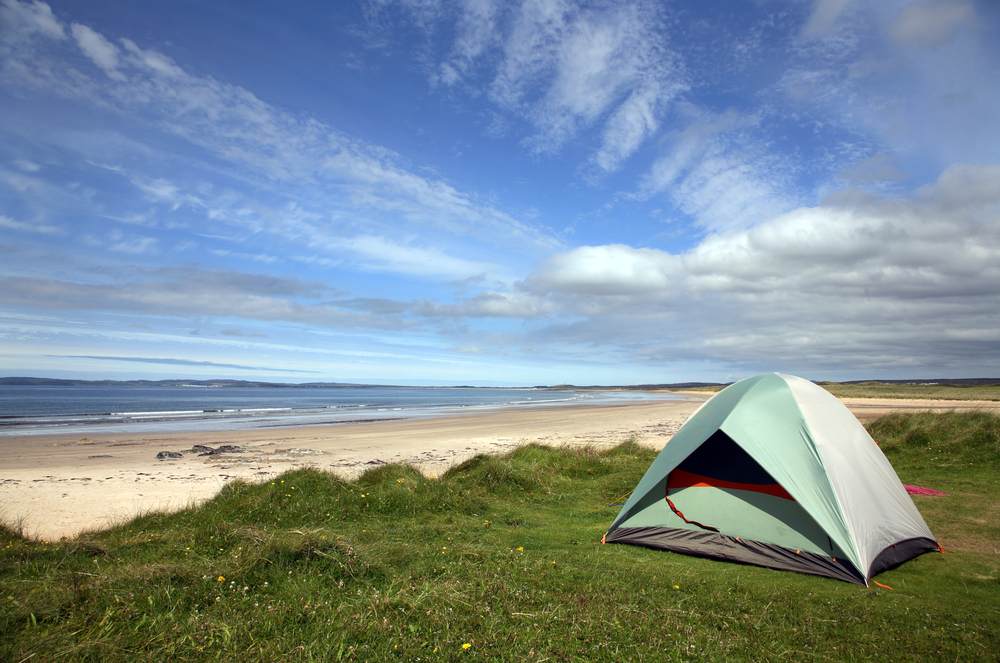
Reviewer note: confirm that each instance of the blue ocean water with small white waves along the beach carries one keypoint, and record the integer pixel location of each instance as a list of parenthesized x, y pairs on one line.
[(38, 410)]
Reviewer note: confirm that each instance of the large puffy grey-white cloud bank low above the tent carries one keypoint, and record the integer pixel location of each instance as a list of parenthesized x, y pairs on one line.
[(868, 282)]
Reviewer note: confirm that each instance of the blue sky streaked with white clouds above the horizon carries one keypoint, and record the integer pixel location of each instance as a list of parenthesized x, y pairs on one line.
[(500, 192)]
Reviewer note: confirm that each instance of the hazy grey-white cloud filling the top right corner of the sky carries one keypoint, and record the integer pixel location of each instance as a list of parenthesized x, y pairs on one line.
[(860, 78)]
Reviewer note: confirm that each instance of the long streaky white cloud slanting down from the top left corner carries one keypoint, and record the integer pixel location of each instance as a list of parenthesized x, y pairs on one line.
[(256, 168)]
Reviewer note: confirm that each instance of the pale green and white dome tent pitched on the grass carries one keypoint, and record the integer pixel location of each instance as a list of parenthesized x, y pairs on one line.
[(775, 471)]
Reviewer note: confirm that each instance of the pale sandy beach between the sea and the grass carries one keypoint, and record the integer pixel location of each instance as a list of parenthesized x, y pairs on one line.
[(62, 485)]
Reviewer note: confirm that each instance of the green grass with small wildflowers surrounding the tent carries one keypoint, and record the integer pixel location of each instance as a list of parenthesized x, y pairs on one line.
[(501, 553)]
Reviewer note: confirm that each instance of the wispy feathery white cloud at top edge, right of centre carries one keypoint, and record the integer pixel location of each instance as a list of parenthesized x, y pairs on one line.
[(589, 63)]
